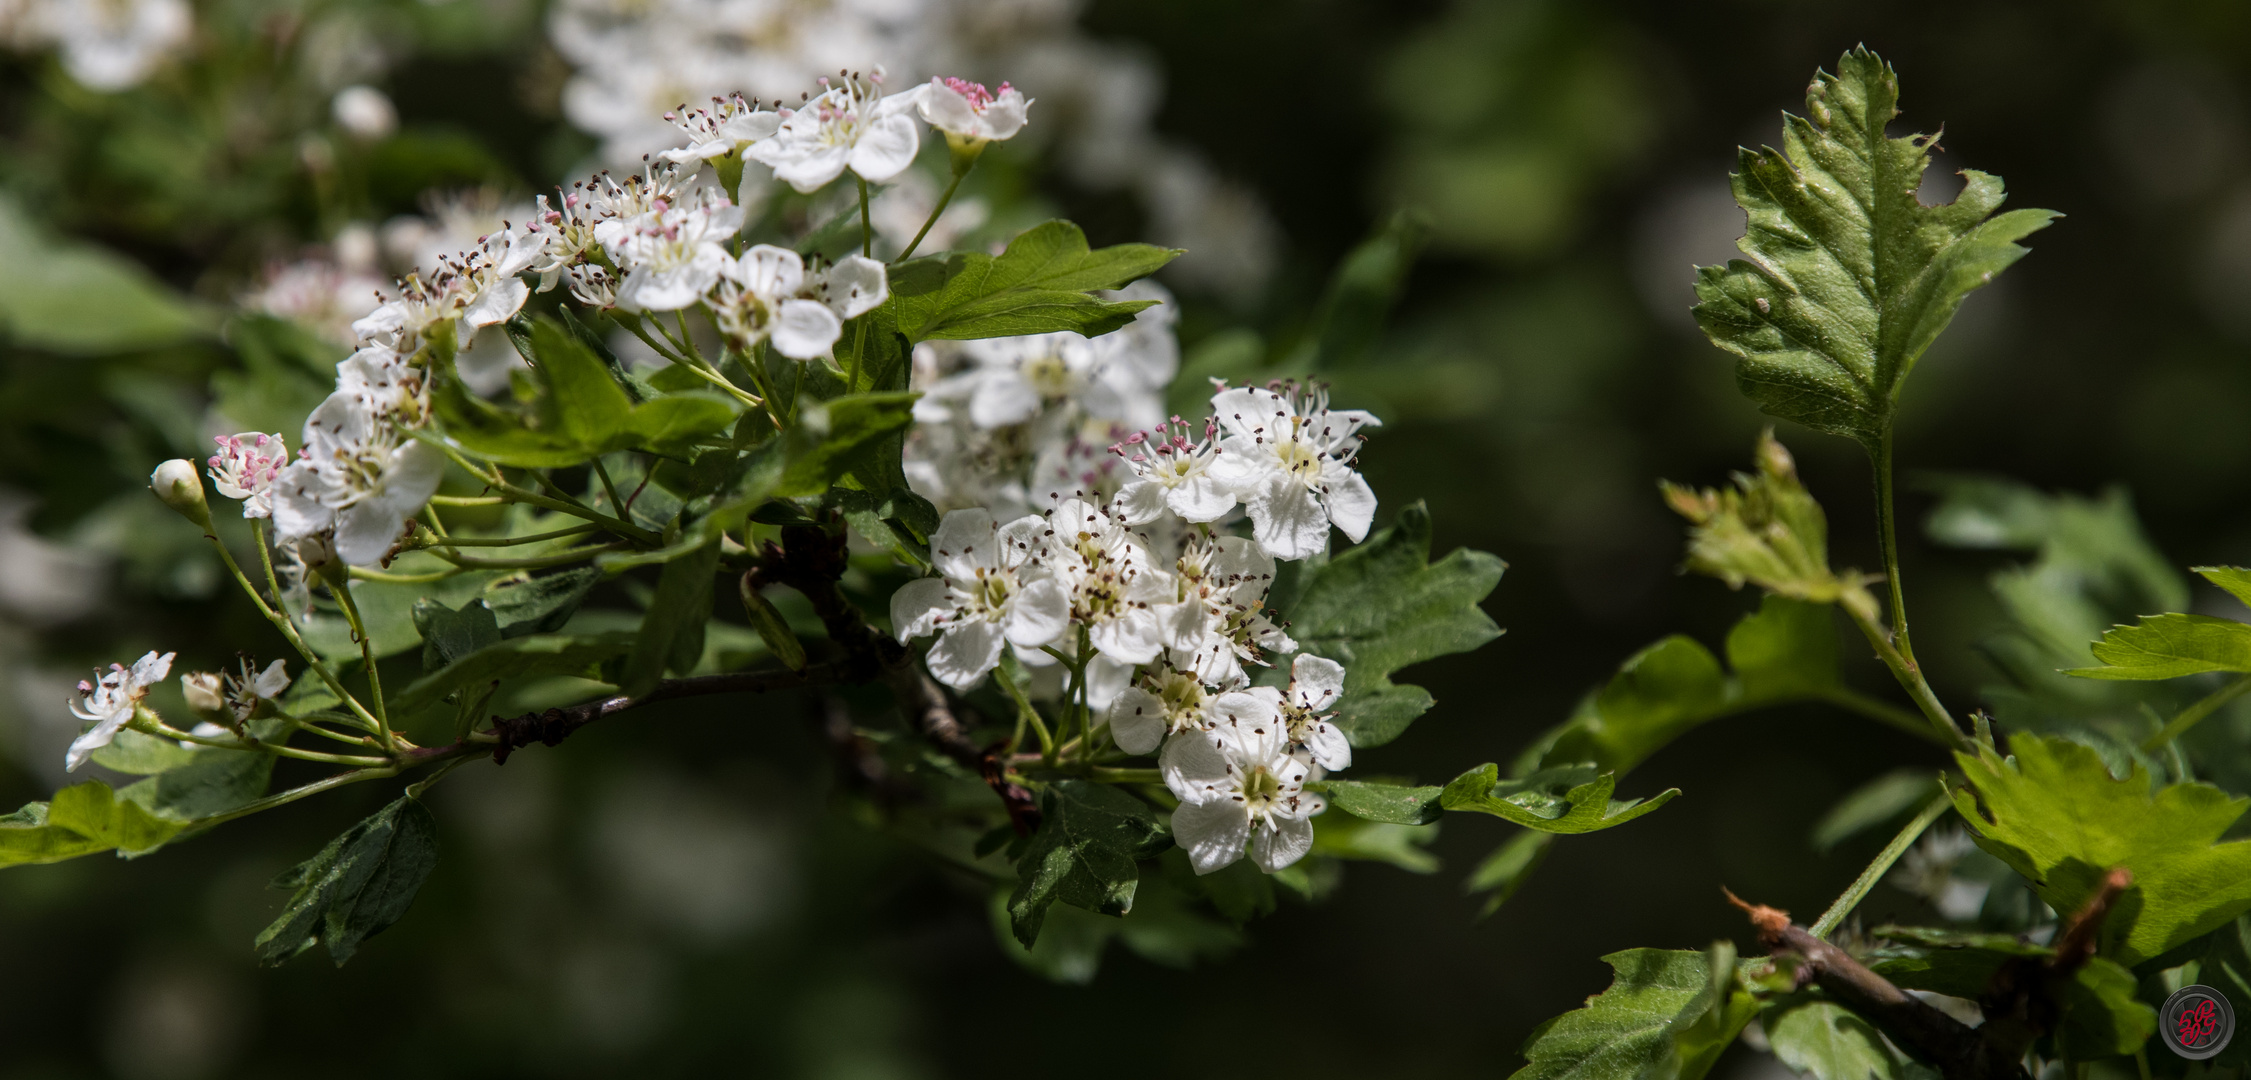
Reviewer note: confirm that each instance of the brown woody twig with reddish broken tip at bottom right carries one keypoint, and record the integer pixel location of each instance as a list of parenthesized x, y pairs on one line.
[(1957, 1050)]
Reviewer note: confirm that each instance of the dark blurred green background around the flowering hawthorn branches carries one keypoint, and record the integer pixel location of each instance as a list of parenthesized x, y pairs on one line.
[(685, 892)]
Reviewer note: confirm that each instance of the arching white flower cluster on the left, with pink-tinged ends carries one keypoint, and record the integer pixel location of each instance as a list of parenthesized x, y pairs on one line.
[(654, 242)]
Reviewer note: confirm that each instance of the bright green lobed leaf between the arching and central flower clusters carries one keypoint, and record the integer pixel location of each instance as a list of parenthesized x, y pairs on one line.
[(1041, 285)]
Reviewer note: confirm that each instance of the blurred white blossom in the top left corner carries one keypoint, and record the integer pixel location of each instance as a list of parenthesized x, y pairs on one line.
[(105, 44)]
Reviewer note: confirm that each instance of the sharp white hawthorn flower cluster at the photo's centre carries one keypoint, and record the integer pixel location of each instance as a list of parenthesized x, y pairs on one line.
[(1145, 573)]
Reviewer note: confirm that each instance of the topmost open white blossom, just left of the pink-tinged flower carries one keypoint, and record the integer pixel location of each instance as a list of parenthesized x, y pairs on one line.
[(848, 127)]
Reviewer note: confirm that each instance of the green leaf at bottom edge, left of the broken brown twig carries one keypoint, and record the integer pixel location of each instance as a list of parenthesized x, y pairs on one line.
[(1667, 1016)]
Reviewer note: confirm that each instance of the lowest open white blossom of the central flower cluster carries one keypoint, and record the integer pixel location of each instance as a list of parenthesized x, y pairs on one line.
[(1239, 784)]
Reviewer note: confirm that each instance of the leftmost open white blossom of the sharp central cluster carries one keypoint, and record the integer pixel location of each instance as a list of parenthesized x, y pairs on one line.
[(989, 593)]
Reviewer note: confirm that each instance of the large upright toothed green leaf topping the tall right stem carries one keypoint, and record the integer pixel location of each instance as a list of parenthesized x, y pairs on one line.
[(1849, 276)]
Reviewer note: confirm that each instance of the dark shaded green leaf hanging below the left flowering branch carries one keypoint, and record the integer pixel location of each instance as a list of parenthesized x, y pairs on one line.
[(357, 888)]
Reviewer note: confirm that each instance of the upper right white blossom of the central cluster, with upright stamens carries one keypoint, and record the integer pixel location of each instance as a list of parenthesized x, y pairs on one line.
[(1291, 460)]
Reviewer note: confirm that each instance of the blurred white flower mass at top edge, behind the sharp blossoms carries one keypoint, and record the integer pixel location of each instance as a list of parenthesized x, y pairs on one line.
[(640, 57)]
